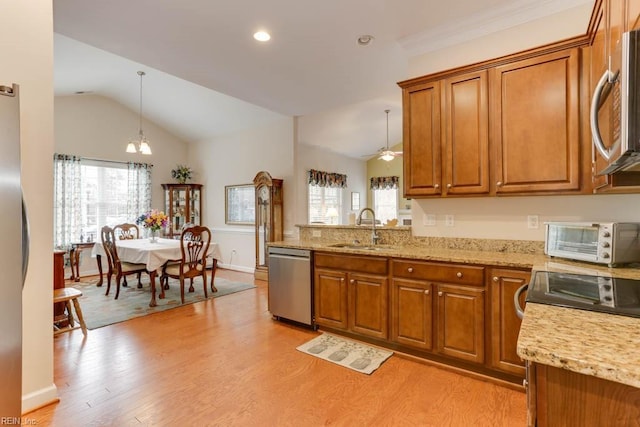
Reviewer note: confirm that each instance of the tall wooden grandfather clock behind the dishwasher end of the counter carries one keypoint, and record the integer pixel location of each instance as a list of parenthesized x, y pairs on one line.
[(269, 225)]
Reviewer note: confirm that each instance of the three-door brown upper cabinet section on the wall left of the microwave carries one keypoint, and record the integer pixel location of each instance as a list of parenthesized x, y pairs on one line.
[(507, 126)]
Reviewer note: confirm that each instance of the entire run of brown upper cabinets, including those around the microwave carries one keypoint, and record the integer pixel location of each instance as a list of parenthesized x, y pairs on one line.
[(518, 124)]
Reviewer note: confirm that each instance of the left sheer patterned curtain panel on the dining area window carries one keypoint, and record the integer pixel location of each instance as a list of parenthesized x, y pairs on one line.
[(67, 207)]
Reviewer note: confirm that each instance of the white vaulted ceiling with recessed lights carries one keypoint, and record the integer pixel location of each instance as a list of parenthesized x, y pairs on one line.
[(207, 76)]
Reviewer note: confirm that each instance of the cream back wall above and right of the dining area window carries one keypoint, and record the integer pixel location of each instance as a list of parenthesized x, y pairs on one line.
[(97, 127)]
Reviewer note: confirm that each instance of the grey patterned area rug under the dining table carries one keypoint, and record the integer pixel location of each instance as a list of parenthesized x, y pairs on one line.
[(101, 310)]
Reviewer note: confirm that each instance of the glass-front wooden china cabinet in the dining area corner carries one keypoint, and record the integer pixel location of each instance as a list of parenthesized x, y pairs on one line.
[(183, 204)]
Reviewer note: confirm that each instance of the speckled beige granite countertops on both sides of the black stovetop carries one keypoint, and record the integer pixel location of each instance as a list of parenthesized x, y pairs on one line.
[(603, 345)]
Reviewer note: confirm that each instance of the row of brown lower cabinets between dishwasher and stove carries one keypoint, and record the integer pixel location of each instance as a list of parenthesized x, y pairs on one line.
[(454, 313)]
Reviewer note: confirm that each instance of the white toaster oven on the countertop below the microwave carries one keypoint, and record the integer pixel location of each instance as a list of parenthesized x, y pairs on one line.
[(611, 243)]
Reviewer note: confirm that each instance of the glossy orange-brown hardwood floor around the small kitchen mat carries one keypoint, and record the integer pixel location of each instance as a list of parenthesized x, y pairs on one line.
[(225, 362)]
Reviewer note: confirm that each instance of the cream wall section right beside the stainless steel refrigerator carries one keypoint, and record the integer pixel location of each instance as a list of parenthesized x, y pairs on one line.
[(26, 43)]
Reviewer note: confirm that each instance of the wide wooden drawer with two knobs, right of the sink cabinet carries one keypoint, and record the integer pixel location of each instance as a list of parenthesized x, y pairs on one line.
[(447, 273)]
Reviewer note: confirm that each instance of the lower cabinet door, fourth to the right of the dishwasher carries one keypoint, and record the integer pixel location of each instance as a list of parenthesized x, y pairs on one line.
[(460, 322)]
